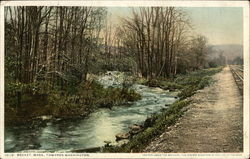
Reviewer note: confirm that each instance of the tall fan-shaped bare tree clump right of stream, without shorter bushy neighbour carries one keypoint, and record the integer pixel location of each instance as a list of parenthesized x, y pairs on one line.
[(155, 35)]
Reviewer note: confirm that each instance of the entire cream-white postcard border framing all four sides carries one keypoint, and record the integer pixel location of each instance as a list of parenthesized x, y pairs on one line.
[(243, 4)]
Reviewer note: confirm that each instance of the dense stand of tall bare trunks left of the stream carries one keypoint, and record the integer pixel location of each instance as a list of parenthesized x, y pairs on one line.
[(51, 43)]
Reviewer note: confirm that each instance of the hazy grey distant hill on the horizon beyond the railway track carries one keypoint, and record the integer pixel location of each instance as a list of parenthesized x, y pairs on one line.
[(230, 51)]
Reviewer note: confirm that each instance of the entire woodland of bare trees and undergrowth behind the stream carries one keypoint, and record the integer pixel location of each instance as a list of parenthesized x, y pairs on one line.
[(52, 52)]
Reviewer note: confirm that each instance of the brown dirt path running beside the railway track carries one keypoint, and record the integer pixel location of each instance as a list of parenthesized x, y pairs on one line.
[(213, 123)]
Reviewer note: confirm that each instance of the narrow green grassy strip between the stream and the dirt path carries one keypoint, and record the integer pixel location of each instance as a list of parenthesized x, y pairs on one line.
[(188, 85)]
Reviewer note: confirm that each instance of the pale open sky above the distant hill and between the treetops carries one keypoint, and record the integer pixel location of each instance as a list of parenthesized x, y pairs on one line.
[(221, 25)]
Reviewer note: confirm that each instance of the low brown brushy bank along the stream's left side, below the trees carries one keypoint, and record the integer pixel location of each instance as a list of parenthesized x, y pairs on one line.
[(105, 91)]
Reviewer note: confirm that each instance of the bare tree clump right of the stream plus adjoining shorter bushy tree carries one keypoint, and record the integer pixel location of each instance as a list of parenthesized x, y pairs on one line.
[(160, 39)]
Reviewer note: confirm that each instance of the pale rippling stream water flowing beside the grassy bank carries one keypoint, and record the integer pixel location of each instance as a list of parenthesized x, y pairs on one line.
[(102, 125)]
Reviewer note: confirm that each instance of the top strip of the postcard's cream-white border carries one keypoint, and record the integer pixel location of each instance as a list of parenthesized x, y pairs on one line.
[(129, 3)]
